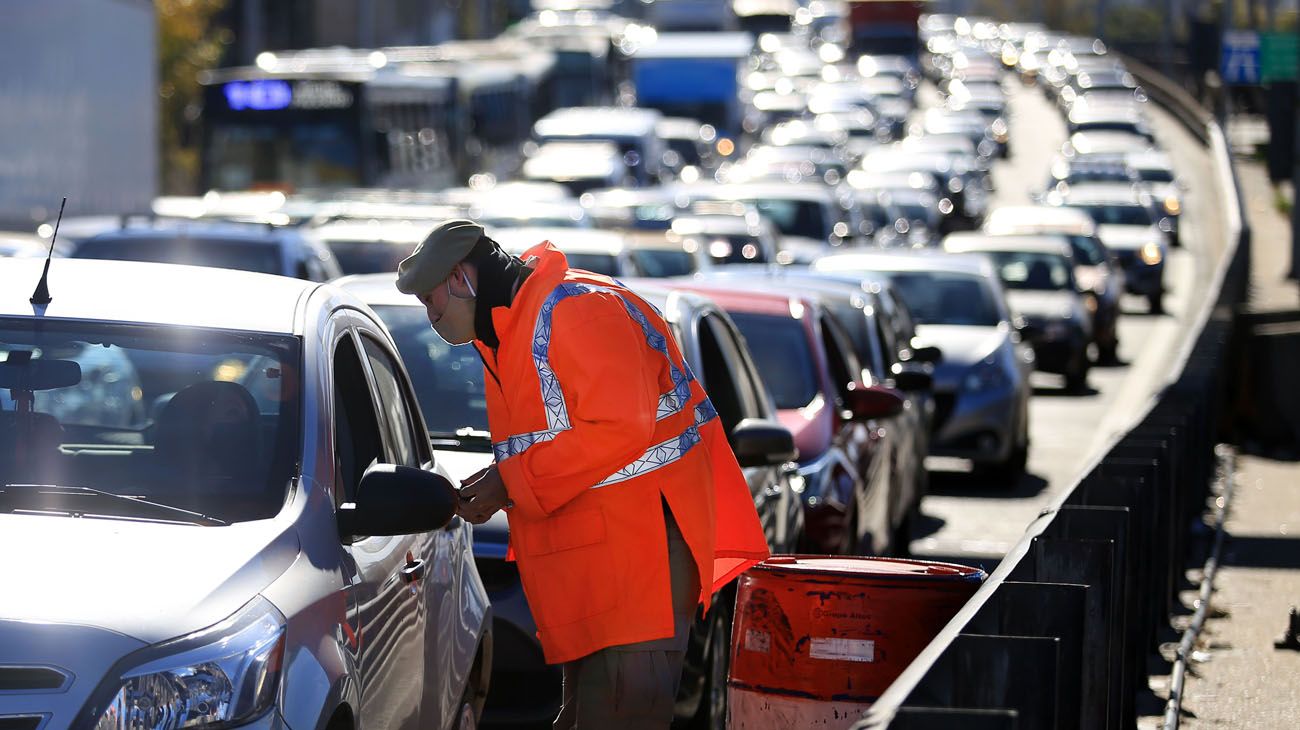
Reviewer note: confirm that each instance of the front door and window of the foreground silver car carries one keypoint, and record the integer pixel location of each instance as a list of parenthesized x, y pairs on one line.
[(385, 605)]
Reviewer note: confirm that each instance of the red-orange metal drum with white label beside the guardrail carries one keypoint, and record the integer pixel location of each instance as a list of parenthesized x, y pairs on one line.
[(818, 640)]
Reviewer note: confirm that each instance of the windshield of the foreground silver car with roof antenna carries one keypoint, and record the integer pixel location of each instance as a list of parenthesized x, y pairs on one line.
[(194, 420)]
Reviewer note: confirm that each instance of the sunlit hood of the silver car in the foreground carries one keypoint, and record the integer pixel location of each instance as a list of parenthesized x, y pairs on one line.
[(142, 580)]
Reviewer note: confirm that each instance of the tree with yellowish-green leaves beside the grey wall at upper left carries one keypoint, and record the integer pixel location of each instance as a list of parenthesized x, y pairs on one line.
[(190, 42)]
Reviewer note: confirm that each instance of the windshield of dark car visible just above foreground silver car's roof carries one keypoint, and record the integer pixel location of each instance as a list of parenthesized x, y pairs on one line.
[(262, 258)]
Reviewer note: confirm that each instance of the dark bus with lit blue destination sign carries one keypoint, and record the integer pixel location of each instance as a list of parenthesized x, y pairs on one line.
[(331, 119)]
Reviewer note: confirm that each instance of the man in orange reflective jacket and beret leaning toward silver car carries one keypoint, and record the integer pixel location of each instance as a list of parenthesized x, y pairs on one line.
[(627, 509)]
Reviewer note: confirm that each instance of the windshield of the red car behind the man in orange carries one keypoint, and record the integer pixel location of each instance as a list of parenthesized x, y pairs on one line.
[(781, 350)]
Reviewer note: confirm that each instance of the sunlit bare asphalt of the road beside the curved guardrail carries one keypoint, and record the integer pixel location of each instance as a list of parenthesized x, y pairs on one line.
[(972, 520)]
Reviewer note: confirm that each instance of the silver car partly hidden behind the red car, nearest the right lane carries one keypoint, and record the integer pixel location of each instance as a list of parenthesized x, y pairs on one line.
[(982, 386)]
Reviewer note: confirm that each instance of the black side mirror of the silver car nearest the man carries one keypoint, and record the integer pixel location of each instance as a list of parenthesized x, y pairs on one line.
[(398, 501)]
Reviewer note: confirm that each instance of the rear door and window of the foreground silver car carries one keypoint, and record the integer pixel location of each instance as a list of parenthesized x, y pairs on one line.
[(440, 554)]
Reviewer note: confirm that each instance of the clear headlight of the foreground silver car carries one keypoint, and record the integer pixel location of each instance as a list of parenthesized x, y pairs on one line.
[(219, 677)]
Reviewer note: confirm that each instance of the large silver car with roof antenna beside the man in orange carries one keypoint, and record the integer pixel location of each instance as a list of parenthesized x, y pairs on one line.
[(219, 509)]
